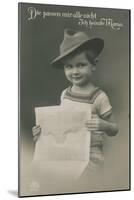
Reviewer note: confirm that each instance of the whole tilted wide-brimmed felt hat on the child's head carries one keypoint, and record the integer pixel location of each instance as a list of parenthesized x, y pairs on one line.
[(76, 40)]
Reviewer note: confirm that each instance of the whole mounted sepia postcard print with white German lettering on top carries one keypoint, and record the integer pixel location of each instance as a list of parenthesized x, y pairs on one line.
[(74, 99)]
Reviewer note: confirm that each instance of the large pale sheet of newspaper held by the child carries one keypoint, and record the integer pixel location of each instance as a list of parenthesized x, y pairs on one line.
[(63, 148)]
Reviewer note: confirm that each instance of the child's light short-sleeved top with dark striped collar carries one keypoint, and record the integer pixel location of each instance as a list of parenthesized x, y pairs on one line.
[(100, 105)]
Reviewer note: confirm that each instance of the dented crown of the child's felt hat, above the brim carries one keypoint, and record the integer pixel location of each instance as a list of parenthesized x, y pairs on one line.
[(72, 39)]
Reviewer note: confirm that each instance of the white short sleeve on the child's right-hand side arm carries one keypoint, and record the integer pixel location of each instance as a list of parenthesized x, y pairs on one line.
[(103, 105)]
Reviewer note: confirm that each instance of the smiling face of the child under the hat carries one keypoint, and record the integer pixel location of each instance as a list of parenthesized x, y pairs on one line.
[(78, 69)]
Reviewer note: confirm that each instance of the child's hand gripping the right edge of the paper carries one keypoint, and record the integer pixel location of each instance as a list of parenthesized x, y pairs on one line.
[(95, 124)]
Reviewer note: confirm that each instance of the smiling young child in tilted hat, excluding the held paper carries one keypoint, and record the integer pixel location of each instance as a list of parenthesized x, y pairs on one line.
[(79, 57)]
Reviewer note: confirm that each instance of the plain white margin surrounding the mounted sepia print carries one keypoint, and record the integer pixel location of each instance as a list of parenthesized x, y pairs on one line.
[(9, 96)]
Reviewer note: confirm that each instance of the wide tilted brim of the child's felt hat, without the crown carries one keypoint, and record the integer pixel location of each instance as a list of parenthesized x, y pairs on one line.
[(95, 45)]
